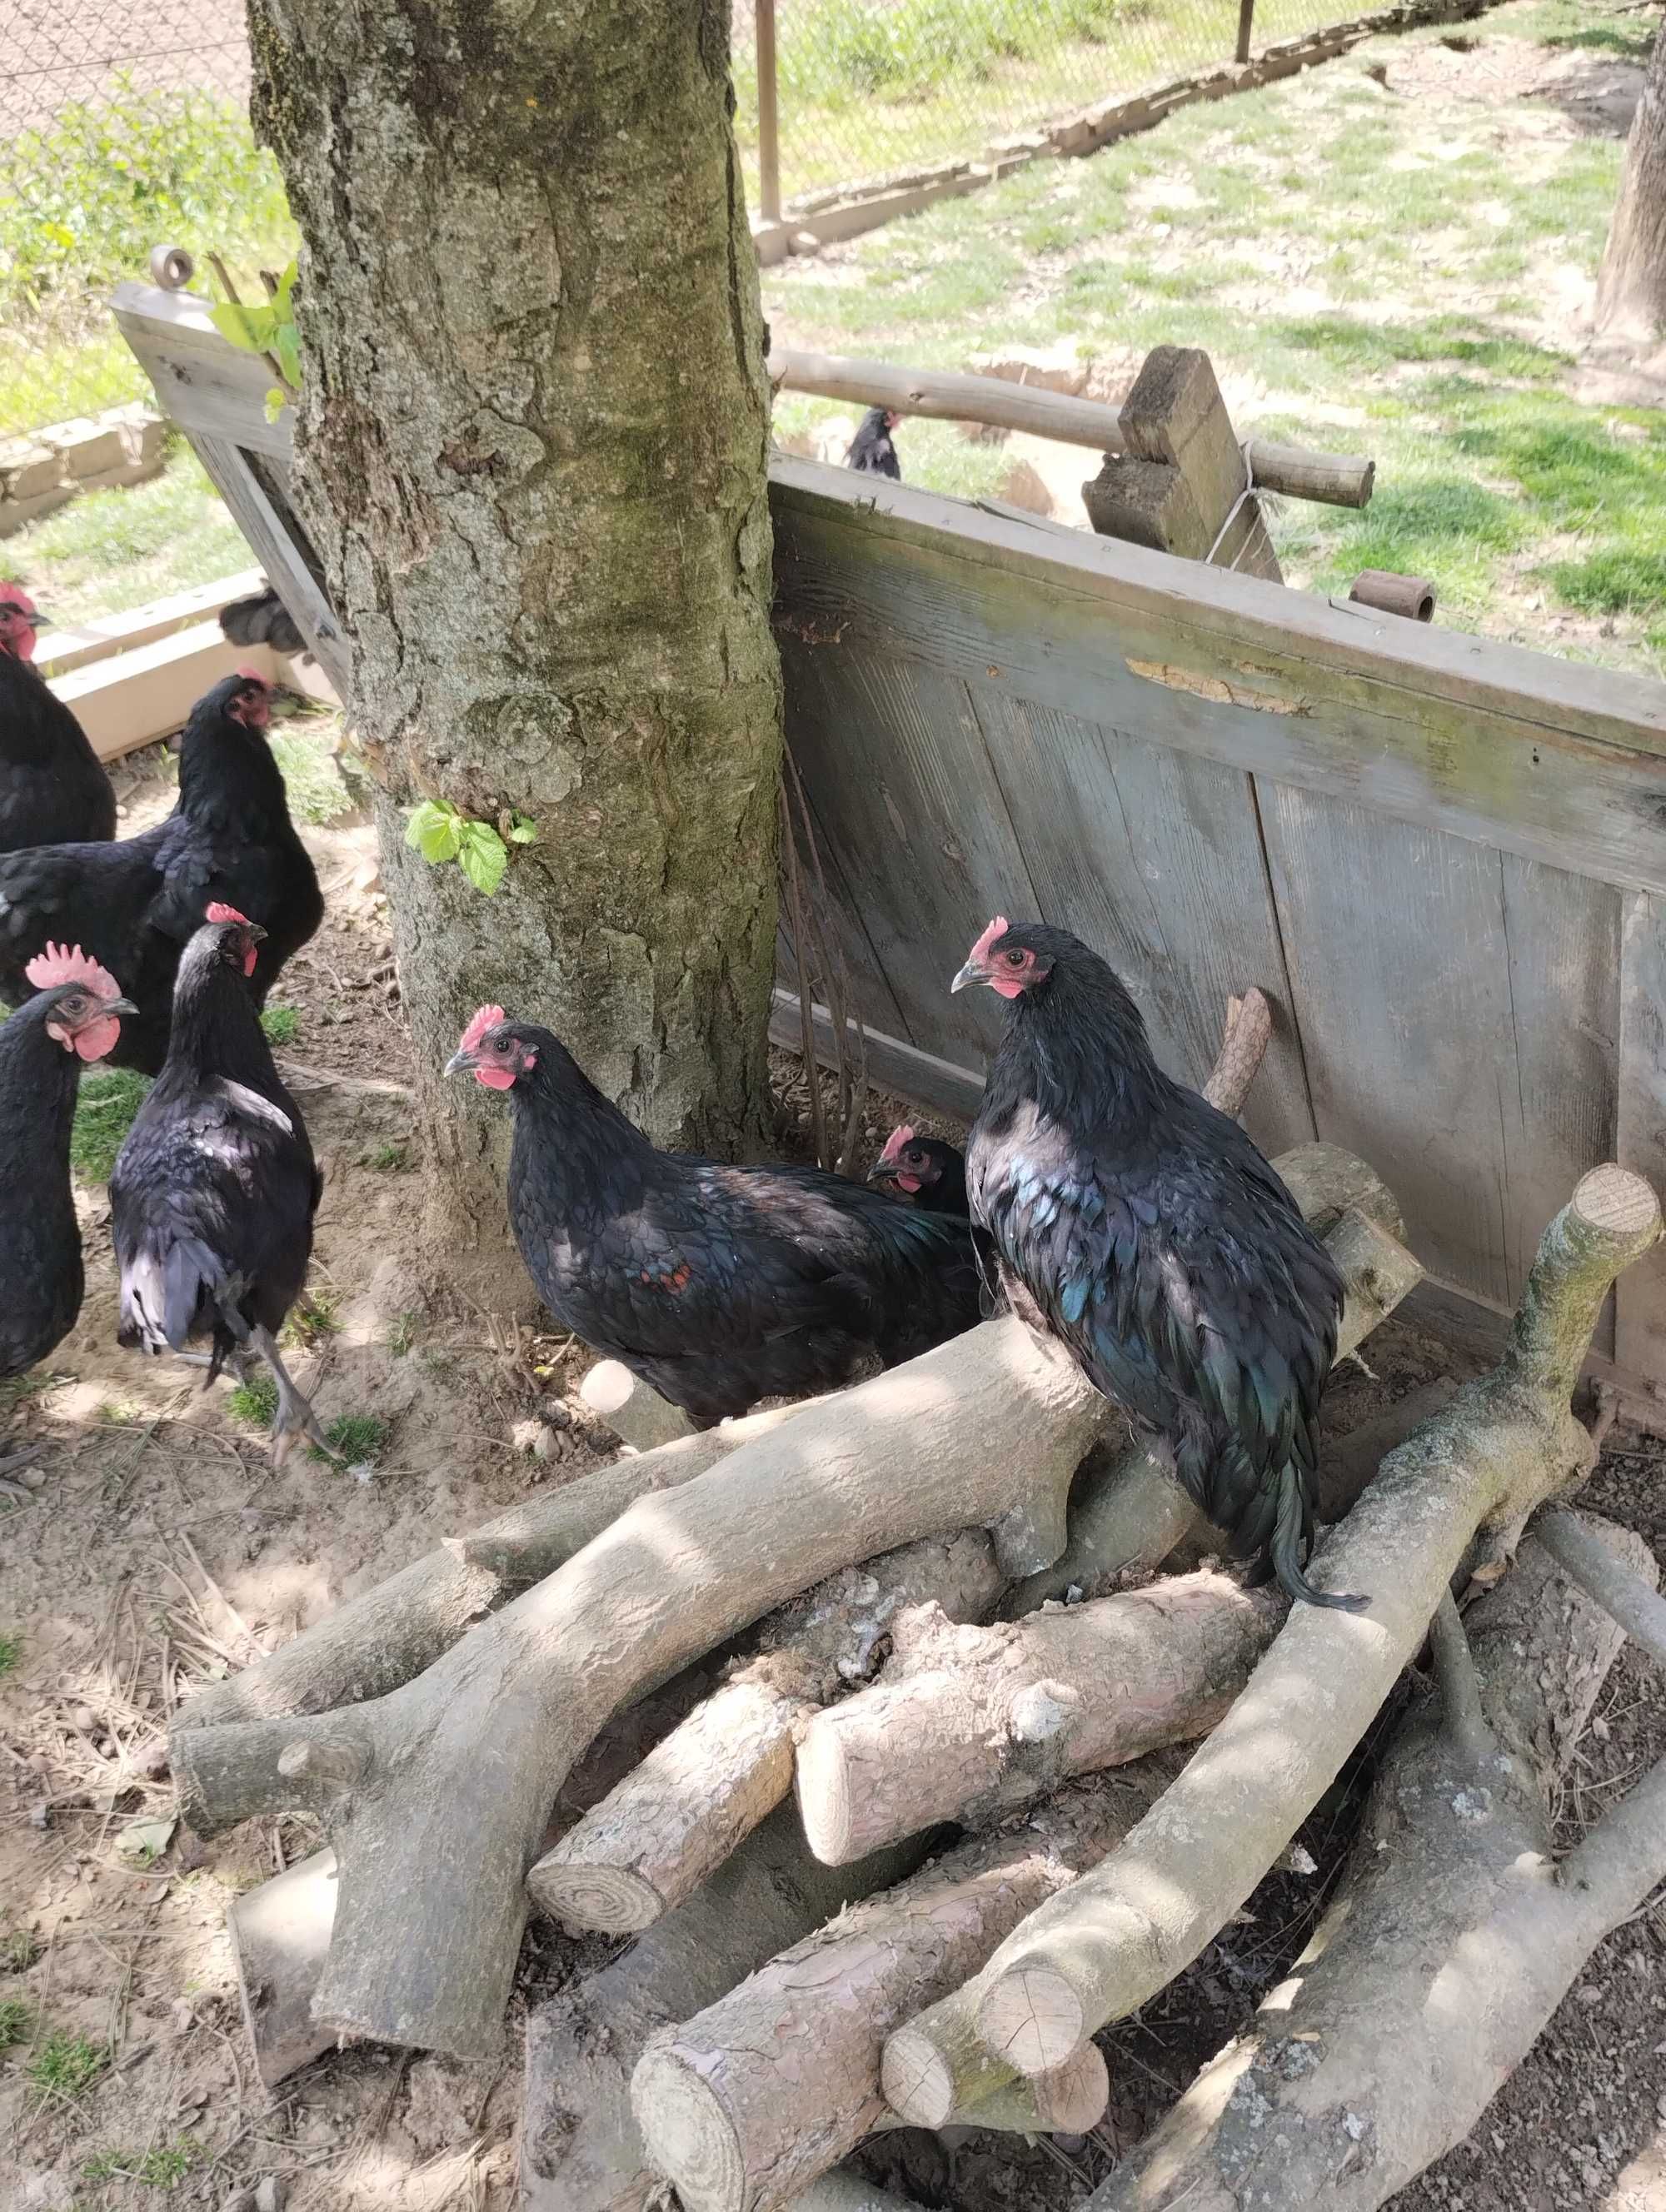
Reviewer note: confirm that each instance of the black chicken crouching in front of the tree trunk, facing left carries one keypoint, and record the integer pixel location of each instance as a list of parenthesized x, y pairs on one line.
[(718, 1286)]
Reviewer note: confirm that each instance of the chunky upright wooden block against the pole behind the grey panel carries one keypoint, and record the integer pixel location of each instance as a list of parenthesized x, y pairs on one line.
[(1180, 481)]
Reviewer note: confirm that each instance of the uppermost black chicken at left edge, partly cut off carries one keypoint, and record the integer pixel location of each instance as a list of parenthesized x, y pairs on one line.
[(52, 786)]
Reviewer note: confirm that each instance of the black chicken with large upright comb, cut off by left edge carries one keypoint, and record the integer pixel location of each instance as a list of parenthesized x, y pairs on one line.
[(74, 1019)]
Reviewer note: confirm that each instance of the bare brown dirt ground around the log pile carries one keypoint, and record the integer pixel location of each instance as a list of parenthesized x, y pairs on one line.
[(156, 1547)]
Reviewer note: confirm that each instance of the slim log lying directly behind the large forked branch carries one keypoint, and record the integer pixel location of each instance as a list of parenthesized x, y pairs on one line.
[(397, 1629)]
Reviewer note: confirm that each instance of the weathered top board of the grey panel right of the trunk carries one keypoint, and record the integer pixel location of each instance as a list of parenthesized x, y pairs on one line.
[(1554, 762)]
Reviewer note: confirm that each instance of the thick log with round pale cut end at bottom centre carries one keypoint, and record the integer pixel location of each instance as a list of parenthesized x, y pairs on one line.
[(747, 2103)]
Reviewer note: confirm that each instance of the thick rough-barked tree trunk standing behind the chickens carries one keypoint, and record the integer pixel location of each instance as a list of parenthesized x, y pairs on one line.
[(532, 457)]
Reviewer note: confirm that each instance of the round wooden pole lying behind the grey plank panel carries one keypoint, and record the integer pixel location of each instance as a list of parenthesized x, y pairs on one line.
[(948, 397)]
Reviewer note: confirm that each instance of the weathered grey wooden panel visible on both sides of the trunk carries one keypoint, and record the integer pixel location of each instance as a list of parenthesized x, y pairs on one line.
[(1446, 859)]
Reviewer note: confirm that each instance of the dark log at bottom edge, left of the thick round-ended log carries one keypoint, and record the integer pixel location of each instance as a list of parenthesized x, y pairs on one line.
[(581, 2149)]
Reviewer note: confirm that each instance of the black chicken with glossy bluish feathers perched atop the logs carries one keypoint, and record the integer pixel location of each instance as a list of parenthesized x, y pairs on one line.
[(1156, 1242)]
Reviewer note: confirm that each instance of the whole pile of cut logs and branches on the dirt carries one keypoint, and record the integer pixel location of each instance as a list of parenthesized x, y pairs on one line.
[(924, 1830)]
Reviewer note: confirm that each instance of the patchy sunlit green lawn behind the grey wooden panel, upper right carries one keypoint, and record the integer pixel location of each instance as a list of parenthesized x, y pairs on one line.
[(1371, 269)]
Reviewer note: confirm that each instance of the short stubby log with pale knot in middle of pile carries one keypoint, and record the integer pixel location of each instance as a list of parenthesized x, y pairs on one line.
[(970, 1724)]
